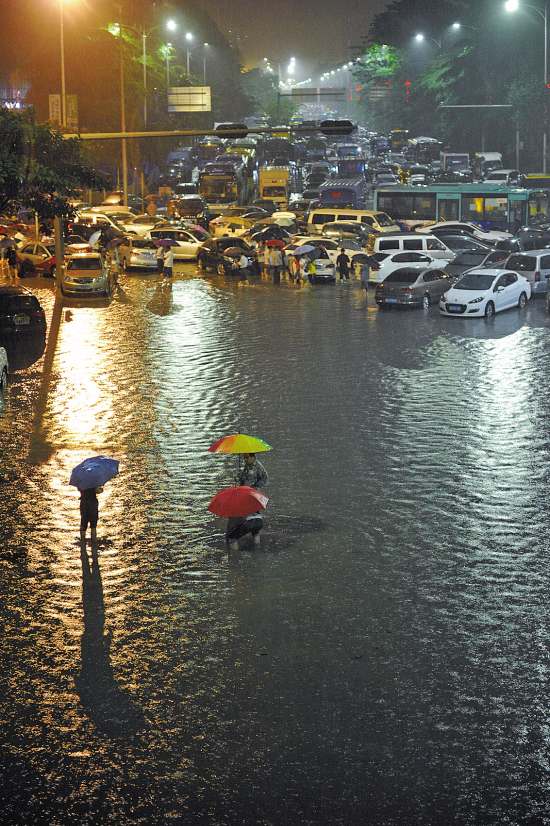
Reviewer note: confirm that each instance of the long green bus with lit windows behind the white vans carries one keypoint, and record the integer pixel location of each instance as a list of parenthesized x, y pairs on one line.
[(492, 207)]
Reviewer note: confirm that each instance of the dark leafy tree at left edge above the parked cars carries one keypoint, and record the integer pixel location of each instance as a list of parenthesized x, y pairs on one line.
[(39, 169)]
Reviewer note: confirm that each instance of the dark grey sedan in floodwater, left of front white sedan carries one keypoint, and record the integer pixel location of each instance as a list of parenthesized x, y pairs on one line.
[(413, 286)]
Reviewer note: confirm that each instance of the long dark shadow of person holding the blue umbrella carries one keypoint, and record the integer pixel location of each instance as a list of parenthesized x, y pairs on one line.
[(109, 708)]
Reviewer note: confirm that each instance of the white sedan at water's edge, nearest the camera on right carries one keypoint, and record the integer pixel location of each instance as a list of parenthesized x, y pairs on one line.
[(485, 292)]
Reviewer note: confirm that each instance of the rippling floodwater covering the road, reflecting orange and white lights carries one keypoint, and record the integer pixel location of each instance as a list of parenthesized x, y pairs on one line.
[(382, 658)]
